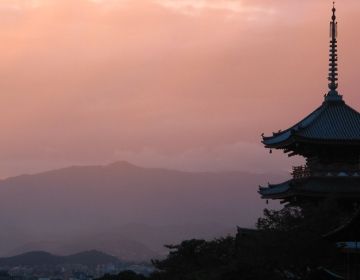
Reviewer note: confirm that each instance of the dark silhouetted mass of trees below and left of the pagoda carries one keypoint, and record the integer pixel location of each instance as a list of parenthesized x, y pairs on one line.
[(287, 244)]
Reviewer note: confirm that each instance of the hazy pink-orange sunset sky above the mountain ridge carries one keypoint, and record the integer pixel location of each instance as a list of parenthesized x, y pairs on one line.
[(185, 84)]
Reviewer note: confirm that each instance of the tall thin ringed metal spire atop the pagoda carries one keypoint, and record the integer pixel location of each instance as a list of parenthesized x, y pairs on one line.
[(333, 94)]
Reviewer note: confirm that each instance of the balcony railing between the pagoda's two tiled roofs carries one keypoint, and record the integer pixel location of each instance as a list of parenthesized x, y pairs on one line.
[(304, 171)]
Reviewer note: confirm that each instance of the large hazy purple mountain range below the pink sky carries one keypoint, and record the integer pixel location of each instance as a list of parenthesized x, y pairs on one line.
[(122, 209)]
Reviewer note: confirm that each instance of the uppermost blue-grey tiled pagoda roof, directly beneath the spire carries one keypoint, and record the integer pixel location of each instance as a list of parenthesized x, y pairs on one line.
[(333, 122)]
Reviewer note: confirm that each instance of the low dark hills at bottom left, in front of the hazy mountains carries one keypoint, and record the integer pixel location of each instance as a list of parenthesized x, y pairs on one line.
[(89, 258)]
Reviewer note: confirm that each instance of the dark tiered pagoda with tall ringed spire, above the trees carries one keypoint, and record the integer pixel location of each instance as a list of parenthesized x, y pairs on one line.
[(329, 140)]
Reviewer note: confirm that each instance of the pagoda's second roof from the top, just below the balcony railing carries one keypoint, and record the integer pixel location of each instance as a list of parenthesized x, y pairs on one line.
[(343, 186)]
